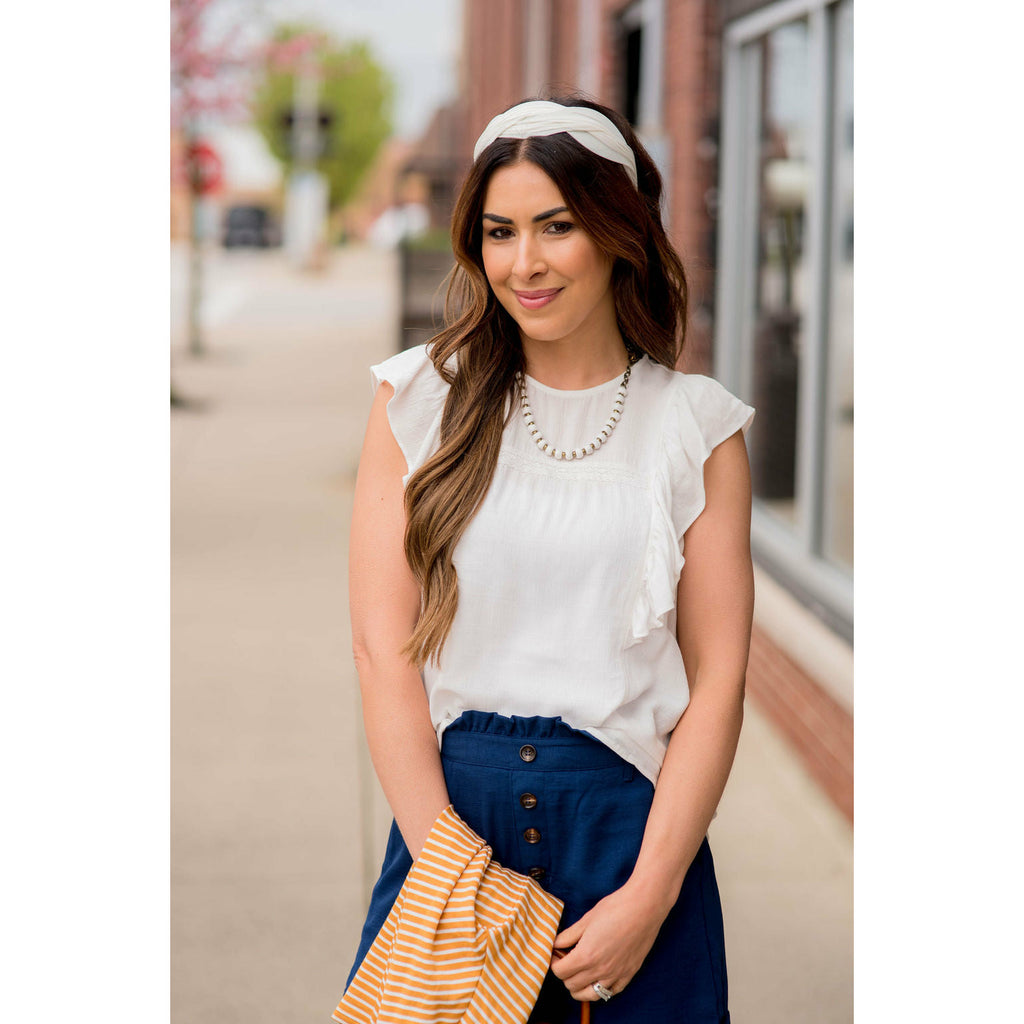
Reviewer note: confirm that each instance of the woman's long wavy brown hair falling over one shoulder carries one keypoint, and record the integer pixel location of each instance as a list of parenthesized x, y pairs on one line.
[(480, 352)]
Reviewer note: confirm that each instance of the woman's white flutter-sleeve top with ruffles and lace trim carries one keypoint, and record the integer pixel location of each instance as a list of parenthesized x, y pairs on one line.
[(568, 573)]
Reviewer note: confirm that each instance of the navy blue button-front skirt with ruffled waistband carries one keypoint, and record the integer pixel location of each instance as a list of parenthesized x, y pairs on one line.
[(564, 808)]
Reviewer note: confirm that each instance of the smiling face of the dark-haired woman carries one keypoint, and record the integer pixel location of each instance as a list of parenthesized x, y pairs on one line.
[(545, 270)]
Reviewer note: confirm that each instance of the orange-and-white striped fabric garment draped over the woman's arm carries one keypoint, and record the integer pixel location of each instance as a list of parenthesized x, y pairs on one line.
[(467, 941)]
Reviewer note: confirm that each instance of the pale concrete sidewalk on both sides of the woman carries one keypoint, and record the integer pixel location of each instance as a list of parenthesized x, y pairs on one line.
[(278, 824)]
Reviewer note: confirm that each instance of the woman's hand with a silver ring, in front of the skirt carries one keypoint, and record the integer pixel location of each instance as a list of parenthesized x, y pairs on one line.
[(610, 944)]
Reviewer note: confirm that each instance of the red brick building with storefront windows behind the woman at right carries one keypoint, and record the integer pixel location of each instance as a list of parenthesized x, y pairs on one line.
[(747, 108)]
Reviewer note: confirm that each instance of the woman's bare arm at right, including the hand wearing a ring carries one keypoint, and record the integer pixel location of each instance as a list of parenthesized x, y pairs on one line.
[(715, 609)]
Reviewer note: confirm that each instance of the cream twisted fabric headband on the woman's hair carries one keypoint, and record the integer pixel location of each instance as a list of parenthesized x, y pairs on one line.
[(542, 117)]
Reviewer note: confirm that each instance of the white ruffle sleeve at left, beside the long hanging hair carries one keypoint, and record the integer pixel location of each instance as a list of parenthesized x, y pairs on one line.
[(414, 412)]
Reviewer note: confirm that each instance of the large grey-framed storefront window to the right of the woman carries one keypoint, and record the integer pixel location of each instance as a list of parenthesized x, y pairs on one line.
[(785, 311)]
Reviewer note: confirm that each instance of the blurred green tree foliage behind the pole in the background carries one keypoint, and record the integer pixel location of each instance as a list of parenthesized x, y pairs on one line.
[(357, 92)]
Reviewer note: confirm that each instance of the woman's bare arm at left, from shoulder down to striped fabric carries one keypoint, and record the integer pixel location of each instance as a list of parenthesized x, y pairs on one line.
[(385, 601)]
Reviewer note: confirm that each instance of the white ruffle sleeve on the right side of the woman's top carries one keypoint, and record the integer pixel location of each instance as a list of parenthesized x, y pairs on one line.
[(700, 416)]
